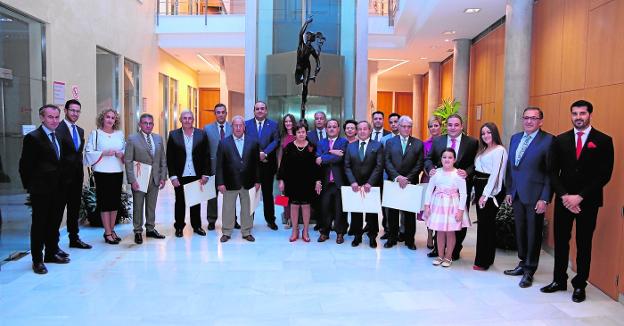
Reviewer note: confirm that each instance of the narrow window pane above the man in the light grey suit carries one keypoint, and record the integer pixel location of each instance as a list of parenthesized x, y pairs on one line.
[(132, 103)]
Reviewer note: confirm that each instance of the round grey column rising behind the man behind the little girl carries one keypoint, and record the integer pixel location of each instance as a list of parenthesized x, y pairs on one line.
[(461, 73)]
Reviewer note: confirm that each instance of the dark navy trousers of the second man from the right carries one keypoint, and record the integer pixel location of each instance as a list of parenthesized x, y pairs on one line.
[(529, 227)]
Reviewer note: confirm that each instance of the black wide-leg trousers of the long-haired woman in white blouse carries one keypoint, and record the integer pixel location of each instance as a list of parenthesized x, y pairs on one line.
[(486, 226)]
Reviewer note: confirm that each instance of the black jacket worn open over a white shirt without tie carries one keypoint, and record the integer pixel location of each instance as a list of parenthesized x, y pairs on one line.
[(176, 153)]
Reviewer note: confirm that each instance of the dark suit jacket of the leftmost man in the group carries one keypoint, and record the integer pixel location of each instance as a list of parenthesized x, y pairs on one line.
[(39, 168)]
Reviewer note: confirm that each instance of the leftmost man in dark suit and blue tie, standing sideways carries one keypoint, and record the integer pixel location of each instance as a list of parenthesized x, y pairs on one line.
[(41, 171)]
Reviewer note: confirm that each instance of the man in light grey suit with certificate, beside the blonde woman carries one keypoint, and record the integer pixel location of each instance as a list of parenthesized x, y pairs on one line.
[(147, 148)]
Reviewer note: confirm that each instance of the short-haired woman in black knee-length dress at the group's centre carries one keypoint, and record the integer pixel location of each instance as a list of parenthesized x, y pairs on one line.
[(299, 179)]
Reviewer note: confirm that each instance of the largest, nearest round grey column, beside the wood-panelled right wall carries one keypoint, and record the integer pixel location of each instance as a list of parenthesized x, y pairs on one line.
[(518, 23)]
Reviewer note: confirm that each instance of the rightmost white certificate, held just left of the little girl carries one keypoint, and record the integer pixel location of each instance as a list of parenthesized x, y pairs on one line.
[(409, 199)]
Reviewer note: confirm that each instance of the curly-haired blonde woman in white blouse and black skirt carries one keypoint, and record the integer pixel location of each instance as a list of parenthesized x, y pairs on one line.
[(105, 153)]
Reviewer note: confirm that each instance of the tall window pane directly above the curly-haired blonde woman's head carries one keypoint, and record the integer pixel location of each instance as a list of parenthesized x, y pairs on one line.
[(107, 80)]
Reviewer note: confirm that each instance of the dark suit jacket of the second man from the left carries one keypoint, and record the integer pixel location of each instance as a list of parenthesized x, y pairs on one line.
[(73, 169)]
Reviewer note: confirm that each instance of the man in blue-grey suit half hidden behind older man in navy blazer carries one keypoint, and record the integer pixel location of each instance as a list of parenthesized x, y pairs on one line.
[(216, 132)]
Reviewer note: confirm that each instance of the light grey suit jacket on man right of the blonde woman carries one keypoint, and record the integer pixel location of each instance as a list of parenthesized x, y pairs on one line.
[(137, 150)]
